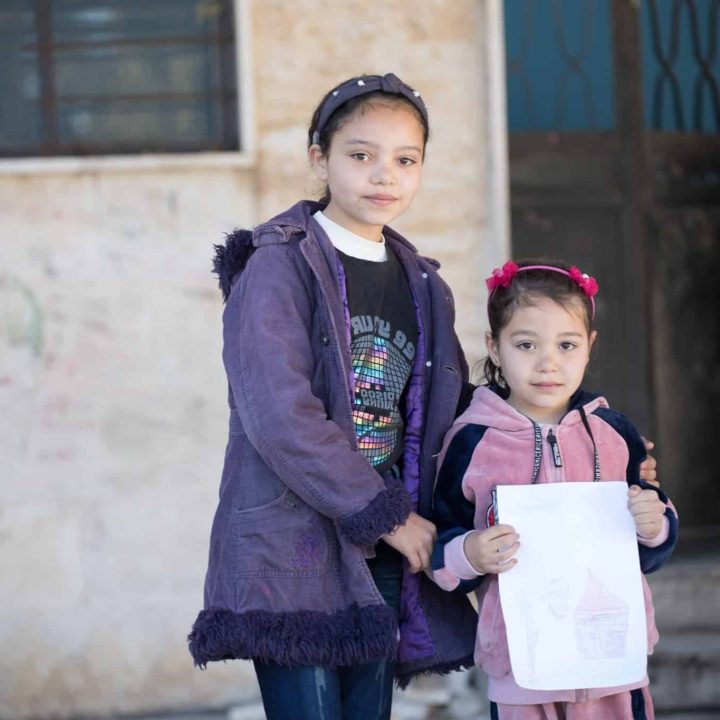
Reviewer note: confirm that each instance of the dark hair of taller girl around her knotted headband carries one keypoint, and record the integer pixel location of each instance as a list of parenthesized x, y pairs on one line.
[(356, 106)]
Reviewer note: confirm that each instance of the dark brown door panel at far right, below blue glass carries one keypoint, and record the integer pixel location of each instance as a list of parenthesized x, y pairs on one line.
[(684, 244)]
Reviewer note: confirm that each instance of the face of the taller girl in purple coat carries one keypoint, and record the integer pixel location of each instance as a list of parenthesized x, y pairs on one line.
[(372, 168)]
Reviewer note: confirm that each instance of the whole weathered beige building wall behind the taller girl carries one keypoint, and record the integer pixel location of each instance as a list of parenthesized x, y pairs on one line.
[(112, 393)]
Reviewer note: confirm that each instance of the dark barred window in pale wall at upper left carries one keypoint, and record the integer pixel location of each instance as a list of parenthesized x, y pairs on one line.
[(84, 77)]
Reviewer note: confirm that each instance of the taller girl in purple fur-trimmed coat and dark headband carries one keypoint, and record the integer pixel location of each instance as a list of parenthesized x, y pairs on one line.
[(344, 375)]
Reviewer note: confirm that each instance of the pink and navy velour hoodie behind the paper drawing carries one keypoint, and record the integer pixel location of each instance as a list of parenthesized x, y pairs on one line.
[(503, 450)]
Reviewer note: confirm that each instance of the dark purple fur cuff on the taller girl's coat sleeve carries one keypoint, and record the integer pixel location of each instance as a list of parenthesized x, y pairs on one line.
[(381, 515)]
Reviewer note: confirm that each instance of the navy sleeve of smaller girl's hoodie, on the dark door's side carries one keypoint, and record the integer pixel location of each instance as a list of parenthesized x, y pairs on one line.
[(651, 559)]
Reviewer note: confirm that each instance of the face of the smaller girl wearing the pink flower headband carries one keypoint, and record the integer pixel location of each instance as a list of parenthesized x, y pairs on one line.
[(543, 352)]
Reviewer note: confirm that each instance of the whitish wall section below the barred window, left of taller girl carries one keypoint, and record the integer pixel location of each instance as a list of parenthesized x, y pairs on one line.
[(111, 436)]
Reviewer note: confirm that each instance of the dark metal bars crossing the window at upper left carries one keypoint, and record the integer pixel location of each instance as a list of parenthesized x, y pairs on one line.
[(218, 42)]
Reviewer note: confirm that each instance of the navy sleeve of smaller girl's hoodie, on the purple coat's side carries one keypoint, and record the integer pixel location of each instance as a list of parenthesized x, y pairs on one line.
[(453, 513)]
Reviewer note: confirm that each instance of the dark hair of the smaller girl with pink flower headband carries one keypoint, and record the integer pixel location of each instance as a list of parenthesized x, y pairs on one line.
[(525, 288)]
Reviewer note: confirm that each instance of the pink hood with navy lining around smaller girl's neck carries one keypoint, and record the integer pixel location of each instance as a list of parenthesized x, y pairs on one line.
[(489, 409)]
